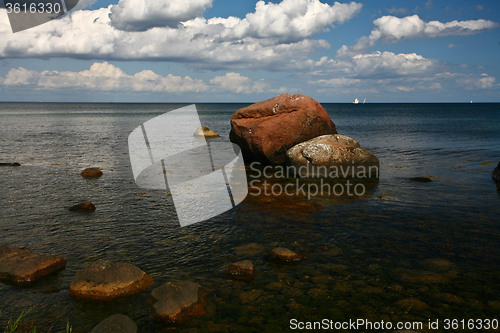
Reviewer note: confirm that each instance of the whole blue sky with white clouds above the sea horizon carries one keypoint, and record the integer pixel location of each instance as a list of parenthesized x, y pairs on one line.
[(247, 51)]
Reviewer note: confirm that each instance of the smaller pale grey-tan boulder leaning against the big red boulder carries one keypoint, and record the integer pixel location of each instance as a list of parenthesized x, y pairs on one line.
[(332, 156)]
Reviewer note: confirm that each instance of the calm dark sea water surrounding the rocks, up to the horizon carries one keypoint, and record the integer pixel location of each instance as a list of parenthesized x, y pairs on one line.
[(390, 238)]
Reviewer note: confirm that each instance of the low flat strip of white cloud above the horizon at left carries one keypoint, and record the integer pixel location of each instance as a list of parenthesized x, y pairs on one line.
[(105, 77)]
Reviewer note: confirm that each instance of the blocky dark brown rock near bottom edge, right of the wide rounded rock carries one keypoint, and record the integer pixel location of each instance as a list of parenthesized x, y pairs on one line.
[(177, 302)]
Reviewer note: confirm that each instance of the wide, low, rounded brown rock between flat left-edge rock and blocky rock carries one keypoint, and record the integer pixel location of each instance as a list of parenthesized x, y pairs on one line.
[(104, 280)]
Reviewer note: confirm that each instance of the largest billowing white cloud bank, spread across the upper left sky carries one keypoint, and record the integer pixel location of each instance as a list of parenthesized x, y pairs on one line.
[(271, 34)]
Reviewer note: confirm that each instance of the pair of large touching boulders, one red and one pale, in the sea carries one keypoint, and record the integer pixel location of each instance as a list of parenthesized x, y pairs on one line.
[(296, 130)]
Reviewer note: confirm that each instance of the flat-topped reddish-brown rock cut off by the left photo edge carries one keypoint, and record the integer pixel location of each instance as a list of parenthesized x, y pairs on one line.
[(23, 267)]
